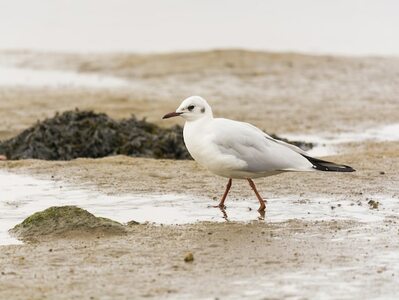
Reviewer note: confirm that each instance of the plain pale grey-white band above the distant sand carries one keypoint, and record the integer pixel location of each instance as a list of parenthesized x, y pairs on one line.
[(349, 27)]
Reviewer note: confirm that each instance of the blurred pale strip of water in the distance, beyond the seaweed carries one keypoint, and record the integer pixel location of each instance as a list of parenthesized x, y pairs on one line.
[(13, 76)]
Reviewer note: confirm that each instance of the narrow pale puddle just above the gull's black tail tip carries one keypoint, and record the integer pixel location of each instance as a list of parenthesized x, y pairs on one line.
[(326, 144)]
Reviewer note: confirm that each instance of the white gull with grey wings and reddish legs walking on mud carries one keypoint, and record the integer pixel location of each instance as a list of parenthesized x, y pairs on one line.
[(238, 150)]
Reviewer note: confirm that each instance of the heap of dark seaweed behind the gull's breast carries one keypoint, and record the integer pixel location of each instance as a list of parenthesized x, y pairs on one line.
[(74, 134)]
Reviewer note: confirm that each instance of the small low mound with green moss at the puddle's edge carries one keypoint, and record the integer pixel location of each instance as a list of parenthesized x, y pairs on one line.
[(63, 221)]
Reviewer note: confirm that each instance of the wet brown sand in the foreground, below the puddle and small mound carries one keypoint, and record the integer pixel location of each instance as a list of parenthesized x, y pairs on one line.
[(299, 260)]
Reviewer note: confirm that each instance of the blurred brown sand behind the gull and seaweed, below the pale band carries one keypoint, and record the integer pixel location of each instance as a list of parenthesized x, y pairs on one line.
[(315, 93)]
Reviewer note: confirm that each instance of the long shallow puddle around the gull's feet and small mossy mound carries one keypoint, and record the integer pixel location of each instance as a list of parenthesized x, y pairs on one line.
[(23, 195)]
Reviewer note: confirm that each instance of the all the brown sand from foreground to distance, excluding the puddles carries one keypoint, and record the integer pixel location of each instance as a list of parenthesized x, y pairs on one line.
[(296, 259)]
